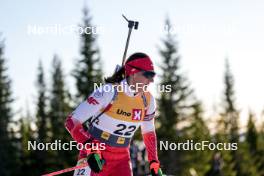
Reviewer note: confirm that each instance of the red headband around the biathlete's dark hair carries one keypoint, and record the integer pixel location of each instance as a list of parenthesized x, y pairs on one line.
[(141, 63)]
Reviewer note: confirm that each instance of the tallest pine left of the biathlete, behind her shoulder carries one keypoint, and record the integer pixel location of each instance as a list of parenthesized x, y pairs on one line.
[(88, 68)]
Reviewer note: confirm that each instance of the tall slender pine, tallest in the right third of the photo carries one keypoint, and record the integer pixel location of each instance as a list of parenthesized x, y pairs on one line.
[(235, 162)]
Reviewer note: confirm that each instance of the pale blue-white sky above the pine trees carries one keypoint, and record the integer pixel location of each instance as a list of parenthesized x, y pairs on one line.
[(207, 32)]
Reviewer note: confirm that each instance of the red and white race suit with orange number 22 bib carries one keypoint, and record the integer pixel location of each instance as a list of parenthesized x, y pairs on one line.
[(115, 127)]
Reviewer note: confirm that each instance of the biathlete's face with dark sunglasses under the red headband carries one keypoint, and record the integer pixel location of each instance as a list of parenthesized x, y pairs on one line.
[(141, 80)]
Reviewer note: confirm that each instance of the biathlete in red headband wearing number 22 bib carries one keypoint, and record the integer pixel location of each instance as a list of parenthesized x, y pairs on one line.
[(111, 117)]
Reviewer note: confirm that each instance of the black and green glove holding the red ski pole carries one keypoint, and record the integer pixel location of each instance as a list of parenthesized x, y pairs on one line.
[(95, 161)]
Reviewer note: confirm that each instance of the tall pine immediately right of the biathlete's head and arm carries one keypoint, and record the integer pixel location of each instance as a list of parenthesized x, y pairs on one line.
[(173, 105)]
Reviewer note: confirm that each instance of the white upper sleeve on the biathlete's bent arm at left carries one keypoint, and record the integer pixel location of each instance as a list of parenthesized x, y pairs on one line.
[(99, 99)]
